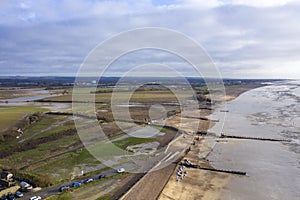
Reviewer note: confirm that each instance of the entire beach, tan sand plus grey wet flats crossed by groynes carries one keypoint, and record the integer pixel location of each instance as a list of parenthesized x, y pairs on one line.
[(272, 168)]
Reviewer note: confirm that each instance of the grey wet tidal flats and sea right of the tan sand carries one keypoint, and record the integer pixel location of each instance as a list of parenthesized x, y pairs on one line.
[(273, 168)]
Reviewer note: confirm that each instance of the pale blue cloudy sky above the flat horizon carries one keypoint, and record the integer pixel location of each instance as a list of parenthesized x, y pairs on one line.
[(244, 38)]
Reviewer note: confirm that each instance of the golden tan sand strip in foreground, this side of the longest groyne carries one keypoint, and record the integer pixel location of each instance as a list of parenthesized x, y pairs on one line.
[(197, 183)]
